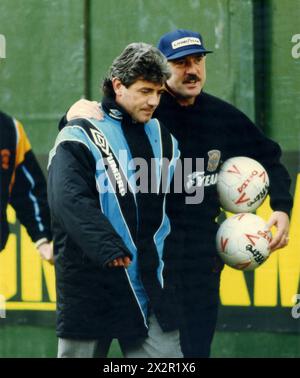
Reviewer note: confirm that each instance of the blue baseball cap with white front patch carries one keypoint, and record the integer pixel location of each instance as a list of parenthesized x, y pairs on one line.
[(180, 42)]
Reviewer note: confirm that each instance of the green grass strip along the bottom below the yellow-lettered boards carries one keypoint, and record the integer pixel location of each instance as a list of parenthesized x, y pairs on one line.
[(28, 341)]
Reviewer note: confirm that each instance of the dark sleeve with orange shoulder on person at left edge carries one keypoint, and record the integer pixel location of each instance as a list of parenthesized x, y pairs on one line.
[(29, 191)]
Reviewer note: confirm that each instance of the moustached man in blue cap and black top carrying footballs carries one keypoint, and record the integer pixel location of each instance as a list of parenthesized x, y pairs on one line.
[(209, 128)]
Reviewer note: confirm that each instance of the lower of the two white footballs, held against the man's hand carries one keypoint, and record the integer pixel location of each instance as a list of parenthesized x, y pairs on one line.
[(243, 241)]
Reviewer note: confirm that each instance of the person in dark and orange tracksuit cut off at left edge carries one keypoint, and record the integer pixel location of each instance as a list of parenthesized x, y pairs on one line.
[(23, 186)]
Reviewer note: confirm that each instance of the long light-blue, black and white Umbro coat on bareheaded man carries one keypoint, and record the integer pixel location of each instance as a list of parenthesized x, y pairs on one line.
[(101, 212)]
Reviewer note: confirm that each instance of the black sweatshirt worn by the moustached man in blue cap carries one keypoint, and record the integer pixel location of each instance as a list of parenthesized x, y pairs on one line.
[(216, 131)]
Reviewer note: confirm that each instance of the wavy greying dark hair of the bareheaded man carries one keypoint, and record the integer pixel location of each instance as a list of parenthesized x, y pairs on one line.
[(138, 61)]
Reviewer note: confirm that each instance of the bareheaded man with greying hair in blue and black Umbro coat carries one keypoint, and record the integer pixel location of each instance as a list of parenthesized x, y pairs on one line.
[(113, 278)]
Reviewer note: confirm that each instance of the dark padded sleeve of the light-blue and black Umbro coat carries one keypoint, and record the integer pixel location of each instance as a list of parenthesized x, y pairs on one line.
[(74, 204)]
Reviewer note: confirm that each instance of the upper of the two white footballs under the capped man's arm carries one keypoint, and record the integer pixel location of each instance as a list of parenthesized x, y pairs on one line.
[(242, 185)]
